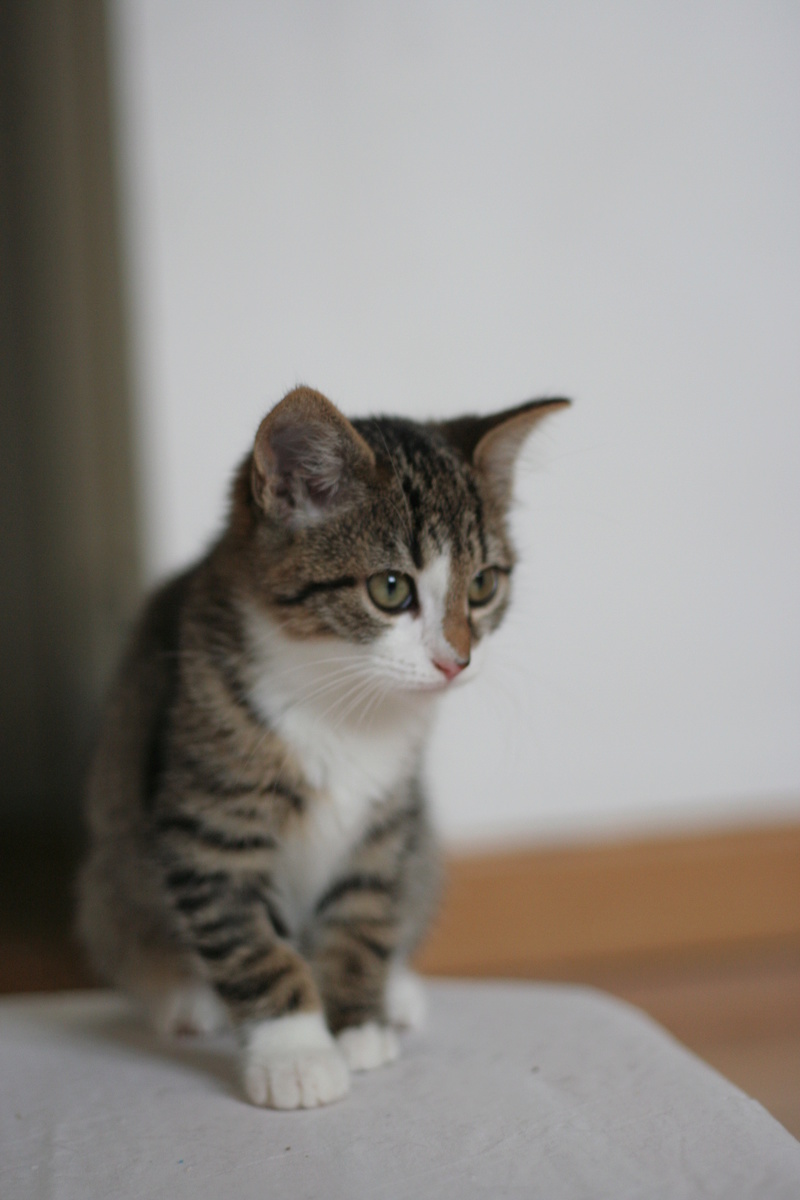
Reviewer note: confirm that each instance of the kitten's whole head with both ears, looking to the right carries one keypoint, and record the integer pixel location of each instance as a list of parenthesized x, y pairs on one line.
[(387, 536)]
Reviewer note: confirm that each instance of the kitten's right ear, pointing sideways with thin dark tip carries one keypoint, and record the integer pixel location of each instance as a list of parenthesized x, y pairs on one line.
[(494, 443)]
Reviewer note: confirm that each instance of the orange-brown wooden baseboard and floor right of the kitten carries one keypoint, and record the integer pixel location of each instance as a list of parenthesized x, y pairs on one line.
[(701, 931)]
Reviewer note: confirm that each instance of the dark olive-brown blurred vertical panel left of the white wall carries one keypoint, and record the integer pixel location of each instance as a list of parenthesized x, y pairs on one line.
[(69, 554)]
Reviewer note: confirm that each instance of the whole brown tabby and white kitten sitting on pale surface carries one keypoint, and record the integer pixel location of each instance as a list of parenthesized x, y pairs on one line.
[(261, 844)]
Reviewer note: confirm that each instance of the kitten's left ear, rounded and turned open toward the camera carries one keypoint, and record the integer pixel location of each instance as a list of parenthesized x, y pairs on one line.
[(308, 459)]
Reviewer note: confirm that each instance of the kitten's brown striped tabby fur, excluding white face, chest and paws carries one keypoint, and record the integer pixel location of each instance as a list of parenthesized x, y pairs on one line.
[(193, 795)]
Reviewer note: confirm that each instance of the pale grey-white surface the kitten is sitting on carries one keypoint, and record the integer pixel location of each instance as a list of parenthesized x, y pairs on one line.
[(518, 1090)]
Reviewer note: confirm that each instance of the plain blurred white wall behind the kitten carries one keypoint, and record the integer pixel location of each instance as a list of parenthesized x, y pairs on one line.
[(425, 208)]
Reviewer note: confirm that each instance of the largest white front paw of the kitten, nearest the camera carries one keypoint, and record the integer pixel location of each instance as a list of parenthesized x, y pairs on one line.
[(294, 1064)]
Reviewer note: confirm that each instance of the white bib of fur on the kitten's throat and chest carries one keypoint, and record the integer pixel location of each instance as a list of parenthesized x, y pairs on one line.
[(353, 755)]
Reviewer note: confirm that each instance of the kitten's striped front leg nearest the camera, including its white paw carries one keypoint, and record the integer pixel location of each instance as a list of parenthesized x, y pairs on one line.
[(291, 1059)]
